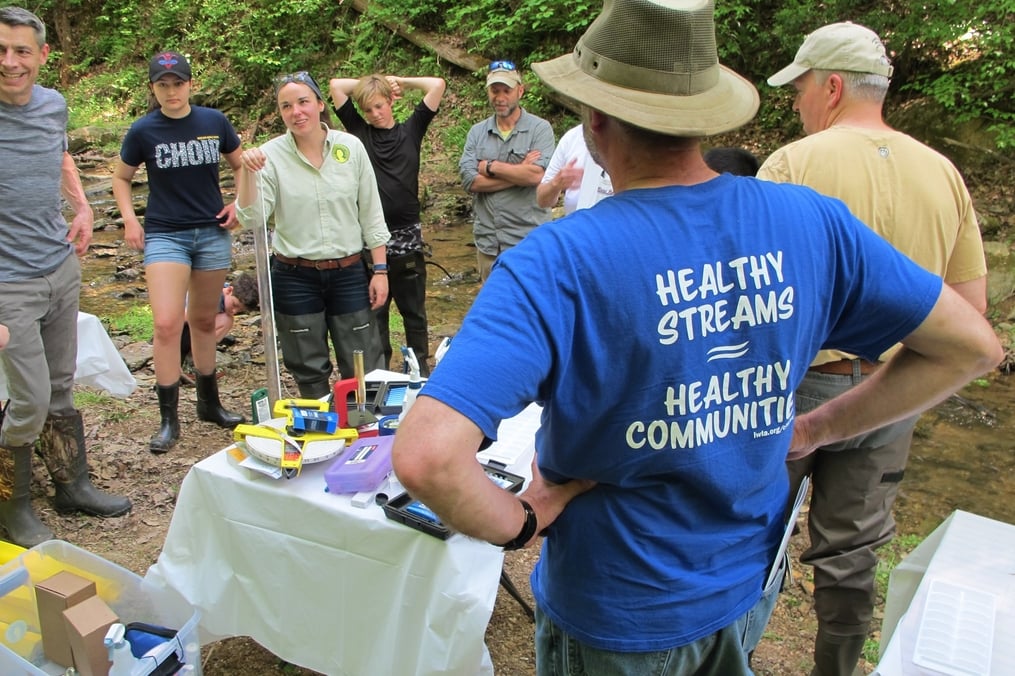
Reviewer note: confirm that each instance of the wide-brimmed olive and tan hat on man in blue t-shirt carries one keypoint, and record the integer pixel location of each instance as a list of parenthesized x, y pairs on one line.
[(654, 64)]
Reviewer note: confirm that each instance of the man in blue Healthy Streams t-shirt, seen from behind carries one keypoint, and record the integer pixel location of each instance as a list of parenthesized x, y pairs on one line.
[(664, 332)]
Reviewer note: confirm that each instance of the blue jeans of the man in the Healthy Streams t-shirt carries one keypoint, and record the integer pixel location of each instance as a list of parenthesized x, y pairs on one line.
[(720, 654)]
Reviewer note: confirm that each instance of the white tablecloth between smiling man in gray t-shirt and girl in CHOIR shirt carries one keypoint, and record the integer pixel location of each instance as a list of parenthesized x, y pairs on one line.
[(99, 364)]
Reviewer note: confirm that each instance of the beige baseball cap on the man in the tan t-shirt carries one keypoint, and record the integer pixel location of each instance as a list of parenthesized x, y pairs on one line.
[(846, 46)]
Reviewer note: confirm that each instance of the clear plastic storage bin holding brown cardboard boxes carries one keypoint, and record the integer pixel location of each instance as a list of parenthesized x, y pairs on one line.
[(123, 591)]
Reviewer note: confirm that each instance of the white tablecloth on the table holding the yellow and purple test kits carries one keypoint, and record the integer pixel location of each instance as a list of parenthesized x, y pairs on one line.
[(328, 586)]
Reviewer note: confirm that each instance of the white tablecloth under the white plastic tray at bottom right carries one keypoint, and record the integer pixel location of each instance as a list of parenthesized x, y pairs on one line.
[(967, 558)]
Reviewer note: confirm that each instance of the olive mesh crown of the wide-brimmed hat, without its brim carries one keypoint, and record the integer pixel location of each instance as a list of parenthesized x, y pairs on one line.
[(686, 65)]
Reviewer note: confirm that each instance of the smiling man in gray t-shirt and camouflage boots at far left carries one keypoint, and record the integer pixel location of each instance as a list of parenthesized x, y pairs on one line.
[(40, 283)]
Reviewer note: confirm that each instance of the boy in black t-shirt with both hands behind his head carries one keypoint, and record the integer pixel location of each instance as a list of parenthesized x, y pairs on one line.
[(394, 151)]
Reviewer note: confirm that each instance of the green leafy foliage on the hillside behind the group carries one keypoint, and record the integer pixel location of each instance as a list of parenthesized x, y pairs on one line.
[(960, 53)]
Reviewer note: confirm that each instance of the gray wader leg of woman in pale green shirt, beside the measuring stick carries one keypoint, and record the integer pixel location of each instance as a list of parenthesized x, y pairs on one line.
[(304, 340)]
